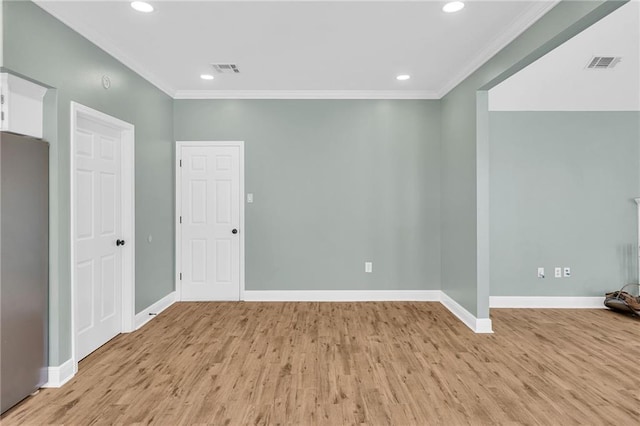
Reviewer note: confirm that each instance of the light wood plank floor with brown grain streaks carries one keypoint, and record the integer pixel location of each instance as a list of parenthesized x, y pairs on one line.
[(354, 363)]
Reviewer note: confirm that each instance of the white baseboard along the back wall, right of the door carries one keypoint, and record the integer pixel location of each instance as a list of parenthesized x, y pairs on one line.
[(341, 295)]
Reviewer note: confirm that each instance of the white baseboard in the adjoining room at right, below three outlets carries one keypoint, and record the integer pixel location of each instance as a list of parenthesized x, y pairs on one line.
[(539, 302)]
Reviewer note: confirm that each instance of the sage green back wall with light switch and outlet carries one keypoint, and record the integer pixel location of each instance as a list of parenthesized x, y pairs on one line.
[(335, 183)]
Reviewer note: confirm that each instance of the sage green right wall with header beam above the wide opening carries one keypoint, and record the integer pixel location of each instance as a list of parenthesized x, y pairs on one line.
[(465, 218)]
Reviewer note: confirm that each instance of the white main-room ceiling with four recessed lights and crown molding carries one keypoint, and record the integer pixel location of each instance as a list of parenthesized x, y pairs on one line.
[(291, 49)]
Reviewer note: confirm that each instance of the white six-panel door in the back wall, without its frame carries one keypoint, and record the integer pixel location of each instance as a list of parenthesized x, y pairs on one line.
[(210, 222)]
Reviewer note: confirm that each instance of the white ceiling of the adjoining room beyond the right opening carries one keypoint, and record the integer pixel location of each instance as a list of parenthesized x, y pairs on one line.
[(559, 81)]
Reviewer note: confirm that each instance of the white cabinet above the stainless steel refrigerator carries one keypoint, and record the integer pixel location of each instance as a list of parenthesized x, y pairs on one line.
[(21, 105)]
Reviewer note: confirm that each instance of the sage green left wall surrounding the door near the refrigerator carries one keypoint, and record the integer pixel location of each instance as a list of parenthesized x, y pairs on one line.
[(42, 48)]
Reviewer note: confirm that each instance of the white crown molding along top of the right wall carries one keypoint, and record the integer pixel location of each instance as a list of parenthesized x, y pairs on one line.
[(519, 25)]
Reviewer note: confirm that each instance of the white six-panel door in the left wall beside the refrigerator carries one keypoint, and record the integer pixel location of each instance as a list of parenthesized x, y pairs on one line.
[(97, 233)]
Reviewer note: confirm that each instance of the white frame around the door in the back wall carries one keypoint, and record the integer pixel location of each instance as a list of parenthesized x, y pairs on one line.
[(178, 201)]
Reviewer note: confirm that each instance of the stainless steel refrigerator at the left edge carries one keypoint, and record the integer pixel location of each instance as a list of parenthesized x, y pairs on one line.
[(24, 266)]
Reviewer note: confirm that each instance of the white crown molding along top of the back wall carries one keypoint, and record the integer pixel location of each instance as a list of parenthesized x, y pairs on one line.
[(305, 94)]
